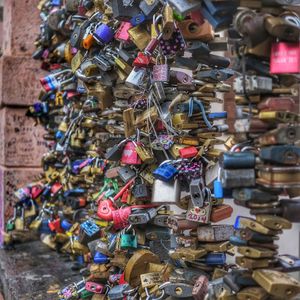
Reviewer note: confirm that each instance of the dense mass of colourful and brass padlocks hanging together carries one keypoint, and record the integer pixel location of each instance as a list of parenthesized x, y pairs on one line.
[(133, 183)]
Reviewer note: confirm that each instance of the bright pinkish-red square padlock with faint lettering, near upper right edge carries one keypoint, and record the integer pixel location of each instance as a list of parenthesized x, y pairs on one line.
[(285, 58)]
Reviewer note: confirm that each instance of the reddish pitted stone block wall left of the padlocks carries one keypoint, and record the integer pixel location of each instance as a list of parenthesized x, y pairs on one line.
[(21, 143)]
